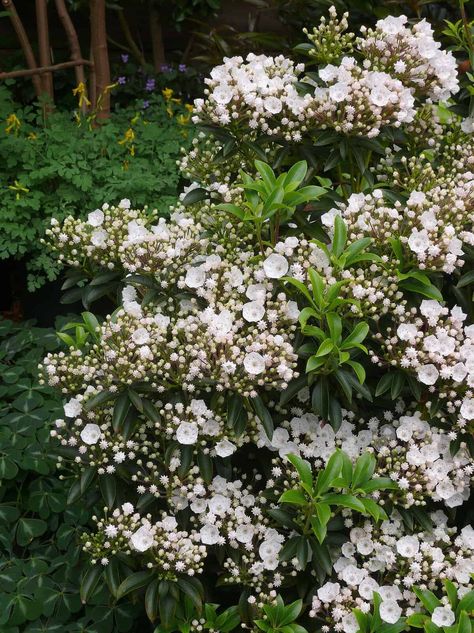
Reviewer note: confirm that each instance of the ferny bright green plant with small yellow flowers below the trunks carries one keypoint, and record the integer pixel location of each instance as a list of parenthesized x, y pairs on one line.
[(66, 165)]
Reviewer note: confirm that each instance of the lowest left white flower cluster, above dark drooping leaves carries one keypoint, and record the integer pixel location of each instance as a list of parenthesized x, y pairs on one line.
[(165, 548)]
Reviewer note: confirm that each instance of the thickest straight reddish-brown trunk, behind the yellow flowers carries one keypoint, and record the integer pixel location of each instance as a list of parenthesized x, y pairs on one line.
[(101, 57)]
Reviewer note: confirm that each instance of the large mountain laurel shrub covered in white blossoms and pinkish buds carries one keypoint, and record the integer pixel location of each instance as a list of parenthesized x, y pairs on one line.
[(279, 412)]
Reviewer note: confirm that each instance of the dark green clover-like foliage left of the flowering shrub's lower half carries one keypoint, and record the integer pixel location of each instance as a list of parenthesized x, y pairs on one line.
[(40, 572)]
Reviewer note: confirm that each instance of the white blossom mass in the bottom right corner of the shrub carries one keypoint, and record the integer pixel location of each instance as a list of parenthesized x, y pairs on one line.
[(389, 562)]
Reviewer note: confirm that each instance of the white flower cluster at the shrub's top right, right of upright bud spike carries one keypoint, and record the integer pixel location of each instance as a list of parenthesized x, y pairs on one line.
[(412, 55)]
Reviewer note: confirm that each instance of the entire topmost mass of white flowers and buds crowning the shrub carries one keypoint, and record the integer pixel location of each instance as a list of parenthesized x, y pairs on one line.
[(398, 65)]
